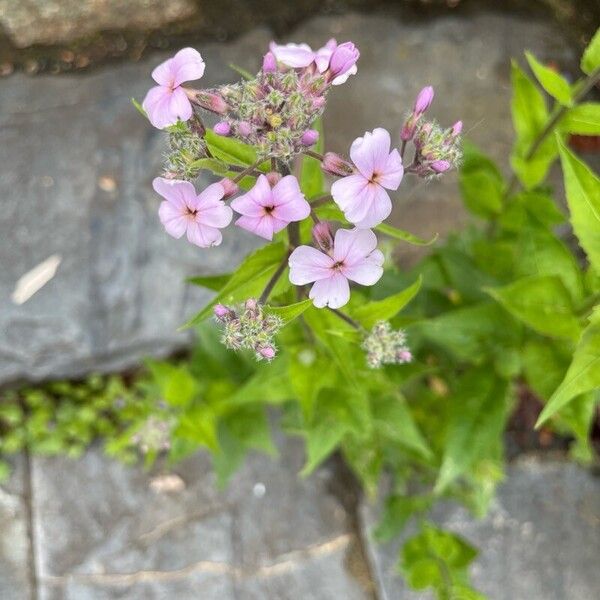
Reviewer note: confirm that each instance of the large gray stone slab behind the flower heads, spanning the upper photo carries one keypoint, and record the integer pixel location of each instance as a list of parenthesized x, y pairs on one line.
[(76, 164)]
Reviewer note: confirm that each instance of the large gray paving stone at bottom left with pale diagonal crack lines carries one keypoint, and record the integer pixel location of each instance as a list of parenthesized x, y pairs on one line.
[(102, 532)]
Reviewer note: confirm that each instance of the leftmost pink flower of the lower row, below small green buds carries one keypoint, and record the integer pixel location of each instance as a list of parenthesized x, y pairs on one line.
[(200, 216)]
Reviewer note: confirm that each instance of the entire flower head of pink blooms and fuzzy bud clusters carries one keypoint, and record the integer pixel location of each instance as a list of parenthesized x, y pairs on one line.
[(275, 113)]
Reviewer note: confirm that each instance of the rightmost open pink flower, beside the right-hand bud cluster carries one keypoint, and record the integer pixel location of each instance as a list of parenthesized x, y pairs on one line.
[(362, 196)]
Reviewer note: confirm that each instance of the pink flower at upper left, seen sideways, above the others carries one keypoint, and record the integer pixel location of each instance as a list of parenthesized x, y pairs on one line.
[(167, 102)]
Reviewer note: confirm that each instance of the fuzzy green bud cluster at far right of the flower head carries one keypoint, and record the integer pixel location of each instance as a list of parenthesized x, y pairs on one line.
[(437, 150)]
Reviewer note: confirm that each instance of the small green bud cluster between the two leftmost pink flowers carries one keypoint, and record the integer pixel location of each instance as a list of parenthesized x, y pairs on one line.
[(186, 146)]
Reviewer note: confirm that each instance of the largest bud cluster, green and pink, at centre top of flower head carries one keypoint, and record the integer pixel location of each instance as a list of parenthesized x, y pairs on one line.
[(274, 111)]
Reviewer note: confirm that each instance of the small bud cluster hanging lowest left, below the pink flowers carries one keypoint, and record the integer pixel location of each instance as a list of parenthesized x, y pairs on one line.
[(249, 328)]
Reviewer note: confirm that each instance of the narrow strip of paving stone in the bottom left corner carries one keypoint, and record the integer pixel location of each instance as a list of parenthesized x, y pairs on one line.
[(15, 578)]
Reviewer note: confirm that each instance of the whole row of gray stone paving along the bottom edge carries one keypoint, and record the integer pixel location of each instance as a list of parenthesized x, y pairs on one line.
[(104, 531)]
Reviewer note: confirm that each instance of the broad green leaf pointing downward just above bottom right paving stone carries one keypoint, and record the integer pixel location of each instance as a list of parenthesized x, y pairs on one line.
[(478, 414)]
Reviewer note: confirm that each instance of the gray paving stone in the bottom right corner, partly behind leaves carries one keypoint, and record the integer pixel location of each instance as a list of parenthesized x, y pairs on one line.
[(540, 540)]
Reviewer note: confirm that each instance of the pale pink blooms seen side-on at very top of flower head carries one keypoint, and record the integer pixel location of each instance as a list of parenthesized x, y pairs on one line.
[(337, 59)]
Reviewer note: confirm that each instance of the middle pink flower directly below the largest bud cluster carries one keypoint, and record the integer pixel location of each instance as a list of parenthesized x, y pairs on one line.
[(266, 210)]
